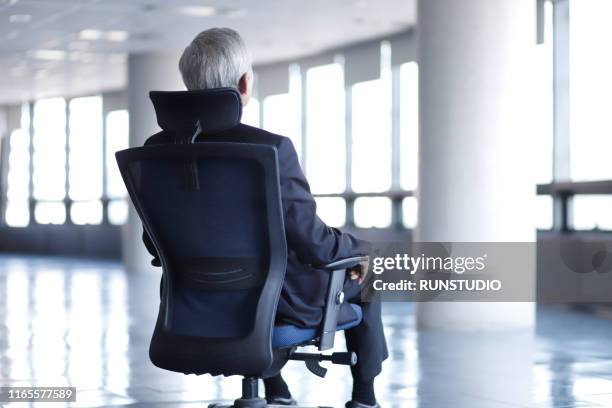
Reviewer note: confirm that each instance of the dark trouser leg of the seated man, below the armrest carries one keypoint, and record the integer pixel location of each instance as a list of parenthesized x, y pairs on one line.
[(367, 339)]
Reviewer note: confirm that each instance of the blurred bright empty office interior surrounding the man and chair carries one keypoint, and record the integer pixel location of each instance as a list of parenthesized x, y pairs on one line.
[(398, 110)]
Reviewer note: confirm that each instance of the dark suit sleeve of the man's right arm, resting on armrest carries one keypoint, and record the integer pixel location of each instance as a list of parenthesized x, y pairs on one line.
[(310, 238)]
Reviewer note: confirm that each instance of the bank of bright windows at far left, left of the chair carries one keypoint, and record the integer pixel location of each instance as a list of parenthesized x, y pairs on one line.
[(64, 180)]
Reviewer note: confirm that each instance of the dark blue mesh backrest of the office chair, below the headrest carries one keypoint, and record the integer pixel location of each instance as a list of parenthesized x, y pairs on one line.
[(214, 214)]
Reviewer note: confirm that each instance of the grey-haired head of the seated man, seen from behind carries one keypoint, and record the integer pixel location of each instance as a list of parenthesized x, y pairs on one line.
[(217, 58)]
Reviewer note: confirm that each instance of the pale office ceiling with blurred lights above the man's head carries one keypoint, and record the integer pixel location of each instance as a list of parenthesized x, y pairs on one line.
[(73, 47)]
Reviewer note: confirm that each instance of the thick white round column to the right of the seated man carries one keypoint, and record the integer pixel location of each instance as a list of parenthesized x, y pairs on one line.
[(474, 179)]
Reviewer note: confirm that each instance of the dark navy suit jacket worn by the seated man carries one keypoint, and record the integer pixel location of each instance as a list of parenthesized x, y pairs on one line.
[(309, 240)]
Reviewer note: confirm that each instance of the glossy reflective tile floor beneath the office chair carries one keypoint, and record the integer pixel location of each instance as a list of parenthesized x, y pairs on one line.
[(87, 324)]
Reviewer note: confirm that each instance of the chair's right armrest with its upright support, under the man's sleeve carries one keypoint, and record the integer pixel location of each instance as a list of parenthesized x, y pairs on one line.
[(335, 298)]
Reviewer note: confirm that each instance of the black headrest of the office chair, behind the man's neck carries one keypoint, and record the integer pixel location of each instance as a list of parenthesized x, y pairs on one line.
[(179, 111)]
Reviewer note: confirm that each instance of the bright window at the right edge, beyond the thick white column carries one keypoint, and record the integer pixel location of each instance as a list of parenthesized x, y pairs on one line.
[(582, 85)]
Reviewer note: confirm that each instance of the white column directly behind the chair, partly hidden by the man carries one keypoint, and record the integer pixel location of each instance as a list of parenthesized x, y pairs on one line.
[(146, 72)]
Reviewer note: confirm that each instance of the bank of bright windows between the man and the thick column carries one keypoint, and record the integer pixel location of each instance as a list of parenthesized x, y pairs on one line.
[(354, 183)]
